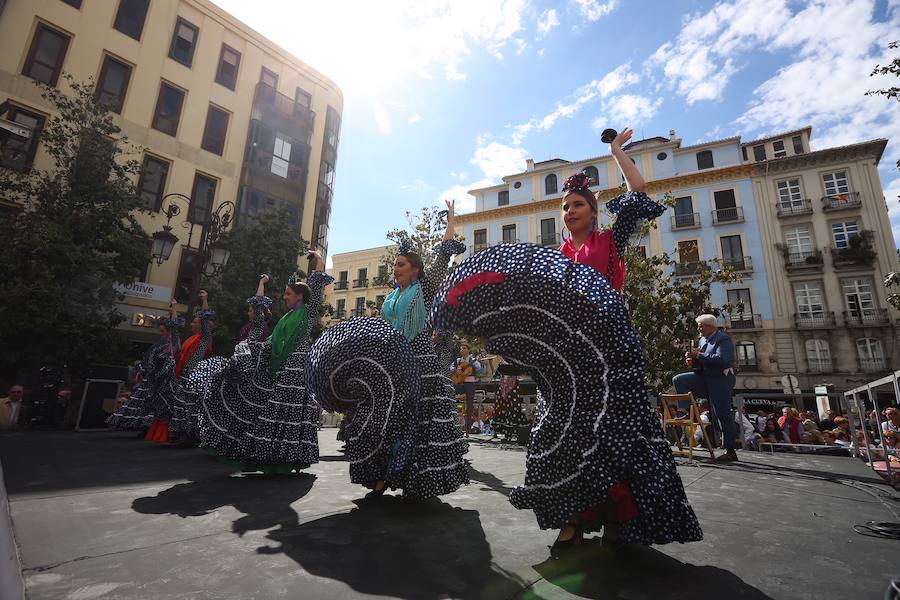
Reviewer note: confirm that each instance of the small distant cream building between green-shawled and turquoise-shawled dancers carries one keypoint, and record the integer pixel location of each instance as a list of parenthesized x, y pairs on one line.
[(361, 281)]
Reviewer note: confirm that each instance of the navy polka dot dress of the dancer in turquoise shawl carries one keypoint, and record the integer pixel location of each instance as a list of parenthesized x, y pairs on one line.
[(426, 456)]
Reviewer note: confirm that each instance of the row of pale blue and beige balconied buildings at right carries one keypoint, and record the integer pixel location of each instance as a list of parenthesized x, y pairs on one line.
[(811, 311)]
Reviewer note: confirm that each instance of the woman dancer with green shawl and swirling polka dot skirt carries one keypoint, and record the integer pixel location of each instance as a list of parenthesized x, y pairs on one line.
[(256, 410)]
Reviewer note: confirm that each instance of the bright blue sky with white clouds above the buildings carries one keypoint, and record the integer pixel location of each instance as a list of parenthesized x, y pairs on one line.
[(442, 96)]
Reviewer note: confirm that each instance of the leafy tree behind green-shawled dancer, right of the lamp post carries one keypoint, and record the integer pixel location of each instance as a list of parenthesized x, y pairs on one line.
[(269, 244)]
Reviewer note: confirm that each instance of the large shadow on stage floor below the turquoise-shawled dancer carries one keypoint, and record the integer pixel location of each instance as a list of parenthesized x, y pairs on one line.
[(399, 548)]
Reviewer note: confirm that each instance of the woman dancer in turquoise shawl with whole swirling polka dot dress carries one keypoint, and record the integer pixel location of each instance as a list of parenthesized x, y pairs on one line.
[(388, 378)]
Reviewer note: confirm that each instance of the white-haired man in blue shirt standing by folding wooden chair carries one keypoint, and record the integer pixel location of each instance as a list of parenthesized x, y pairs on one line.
[(712, 378)]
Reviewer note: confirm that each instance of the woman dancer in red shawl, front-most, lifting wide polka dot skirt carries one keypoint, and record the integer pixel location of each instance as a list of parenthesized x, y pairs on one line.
[(598, 457)]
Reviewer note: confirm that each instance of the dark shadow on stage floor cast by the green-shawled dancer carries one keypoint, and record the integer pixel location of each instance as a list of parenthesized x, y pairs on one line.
[(264, 500)]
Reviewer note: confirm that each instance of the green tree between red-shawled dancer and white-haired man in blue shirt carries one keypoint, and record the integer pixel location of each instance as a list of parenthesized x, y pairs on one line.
[(663, 307)]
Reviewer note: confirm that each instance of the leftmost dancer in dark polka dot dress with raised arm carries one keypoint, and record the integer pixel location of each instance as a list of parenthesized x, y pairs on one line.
[(154, 372)]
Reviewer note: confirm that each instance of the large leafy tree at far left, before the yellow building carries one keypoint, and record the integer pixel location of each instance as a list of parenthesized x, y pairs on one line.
[(74, 239)]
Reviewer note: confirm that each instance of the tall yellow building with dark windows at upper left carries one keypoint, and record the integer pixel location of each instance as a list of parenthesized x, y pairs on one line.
[(222, 115)]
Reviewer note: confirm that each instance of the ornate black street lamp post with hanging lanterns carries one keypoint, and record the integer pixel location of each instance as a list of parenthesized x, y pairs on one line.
[(212, 252)]
